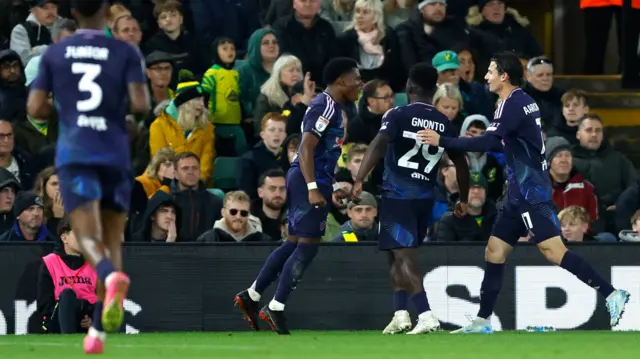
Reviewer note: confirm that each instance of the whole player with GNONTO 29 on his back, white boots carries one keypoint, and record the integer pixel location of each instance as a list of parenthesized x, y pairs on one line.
[(409, 181)]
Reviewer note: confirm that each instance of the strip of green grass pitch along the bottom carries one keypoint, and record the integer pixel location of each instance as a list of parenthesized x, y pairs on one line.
[(335, 344)]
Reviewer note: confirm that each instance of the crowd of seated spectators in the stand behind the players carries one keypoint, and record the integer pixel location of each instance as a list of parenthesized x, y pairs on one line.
[(230, 87)]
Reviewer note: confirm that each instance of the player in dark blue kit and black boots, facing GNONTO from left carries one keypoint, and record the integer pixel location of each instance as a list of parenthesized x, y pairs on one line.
[(310, 185)]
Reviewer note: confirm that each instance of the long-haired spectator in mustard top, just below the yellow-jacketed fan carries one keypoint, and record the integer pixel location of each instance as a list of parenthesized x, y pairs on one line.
[(160, 172)]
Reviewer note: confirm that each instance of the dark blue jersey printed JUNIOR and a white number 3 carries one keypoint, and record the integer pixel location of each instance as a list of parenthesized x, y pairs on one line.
[(89, 74)]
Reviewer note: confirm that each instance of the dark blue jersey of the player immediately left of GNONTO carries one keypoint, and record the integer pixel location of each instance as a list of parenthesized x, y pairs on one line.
[(324, 120)]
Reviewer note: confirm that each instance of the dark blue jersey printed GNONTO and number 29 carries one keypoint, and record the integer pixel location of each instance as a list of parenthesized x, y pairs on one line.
[(411, 168)]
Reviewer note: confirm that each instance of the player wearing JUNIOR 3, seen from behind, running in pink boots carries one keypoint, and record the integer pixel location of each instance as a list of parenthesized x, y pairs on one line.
[(90, 76)]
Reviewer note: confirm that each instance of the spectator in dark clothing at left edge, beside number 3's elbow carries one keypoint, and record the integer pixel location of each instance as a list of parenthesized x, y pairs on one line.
[(13, 92)]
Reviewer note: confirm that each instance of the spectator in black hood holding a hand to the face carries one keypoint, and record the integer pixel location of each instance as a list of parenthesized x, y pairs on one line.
[(160, 221)]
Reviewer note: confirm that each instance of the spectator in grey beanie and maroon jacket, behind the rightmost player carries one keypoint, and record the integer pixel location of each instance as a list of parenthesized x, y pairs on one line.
[(569, 186)]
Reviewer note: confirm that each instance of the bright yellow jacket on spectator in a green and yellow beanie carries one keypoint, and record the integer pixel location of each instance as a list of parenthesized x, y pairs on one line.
[(165, 132)]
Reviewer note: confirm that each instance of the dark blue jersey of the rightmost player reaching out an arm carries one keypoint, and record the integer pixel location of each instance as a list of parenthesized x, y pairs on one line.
[(517, 121)]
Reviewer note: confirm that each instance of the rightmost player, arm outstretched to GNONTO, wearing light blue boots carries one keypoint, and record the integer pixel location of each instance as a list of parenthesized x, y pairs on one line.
[(529, 210)]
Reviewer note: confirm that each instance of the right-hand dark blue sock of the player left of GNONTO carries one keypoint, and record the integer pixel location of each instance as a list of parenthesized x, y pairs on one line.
[(294, 269)]
